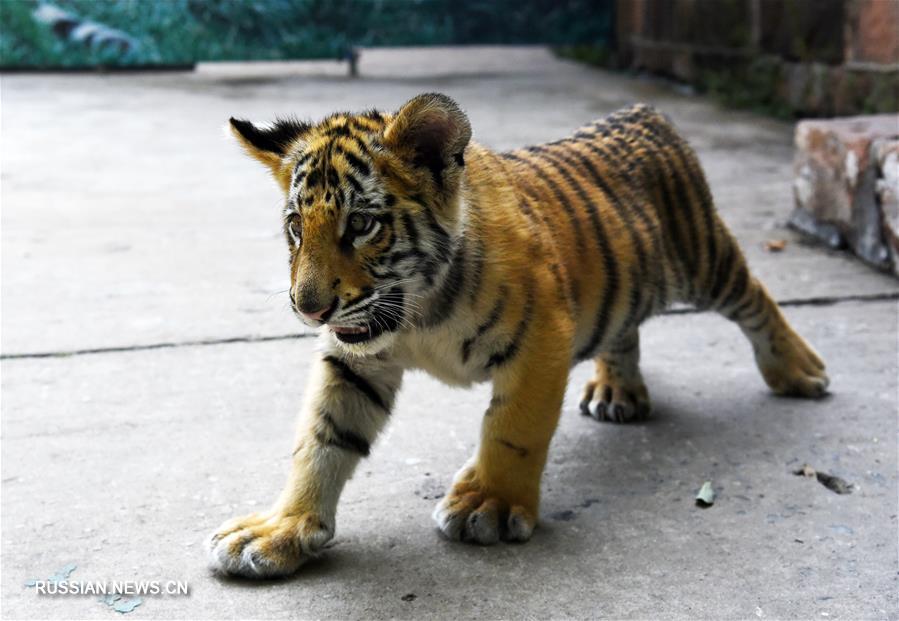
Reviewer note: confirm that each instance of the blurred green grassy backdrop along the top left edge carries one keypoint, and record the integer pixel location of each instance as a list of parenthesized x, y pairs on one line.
[(187, 31)]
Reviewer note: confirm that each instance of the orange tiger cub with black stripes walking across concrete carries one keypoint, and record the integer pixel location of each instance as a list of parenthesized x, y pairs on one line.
[(412, 247)]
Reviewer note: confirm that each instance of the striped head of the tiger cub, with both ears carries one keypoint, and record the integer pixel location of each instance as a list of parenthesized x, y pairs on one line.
[(372, 207)]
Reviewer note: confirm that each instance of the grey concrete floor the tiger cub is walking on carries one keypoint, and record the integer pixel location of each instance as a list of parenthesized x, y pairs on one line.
[(129, 222)]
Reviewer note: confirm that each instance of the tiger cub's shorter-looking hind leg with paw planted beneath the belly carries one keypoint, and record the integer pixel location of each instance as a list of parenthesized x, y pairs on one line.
[(617, 392)]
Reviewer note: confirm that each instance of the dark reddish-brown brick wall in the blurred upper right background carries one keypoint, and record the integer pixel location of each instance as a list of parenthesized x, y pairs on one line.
[(804, 57)]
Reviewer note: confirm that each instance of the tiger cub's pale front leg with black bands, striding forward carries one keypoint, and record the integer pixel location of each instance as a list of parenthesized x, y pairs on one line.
[(346, 406)]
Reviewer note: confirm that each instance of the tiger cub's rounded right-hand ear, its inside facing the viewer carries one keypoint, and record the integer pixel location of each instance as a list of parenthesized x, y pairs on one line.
[(431, 131)]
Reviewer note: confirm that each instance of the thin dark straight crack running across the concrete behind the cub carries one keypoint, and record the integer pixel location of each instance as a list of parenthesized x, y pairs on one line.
[(813, 301)]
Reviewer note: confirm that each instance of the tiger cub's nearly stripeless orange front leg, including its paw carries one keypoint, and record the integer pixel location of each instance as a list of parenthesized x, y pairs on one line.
[(496, 495)]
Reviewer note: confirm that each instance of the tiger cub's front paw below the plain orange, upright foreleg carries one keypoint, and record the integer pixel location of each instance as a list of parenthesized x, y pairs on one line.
[(473, 514)]
